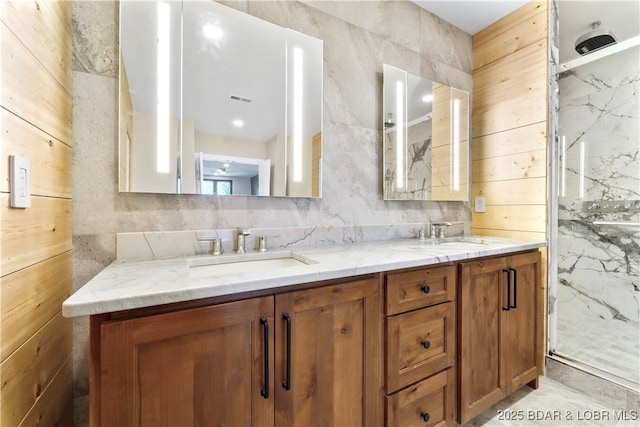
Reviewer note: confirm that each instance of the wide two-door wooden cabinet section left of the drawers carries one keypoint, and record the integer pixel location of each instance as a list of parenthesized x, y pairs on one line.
[(308, 357)]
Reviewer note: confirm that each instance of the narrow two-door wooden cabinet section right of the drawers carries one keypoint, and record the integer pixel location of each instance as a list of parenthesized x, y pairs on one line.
[(501, 335)]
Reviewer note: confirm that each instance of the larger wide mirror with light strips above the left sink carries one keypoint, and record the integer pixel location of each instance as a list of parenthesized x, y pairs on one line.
[(216, 101)]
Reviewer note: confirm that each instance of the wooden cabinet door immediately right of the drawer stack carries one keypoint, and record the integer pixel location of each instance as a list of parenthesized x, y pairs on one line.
[(482, 380)]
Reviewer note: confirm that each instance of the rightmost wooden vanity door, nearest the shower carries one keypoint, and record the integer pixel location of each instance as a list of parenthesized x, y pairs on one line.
[(523, 322)]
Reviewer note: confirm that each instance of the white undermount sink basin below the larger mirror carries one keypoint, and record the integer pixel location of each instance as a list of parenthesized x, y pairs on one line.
[(242, 263)]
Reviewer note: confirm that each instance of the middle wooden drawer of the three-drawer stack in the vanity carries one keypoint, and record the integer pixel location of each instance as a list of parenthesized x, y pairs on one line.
[(419, 343)]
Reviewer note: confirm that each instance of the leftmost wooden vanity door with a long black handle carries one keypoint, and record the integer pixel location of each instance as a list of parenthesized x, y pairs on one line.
[(194, 367)]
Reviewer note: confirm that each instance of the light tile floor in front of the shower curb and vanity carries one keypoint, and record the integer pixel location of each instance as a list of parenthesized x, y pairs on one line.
[(554, 404)]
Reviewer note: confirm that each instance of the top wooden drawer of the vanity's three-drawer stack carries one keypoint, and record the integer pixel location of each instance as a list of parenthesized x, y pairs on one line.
[(408, 290)]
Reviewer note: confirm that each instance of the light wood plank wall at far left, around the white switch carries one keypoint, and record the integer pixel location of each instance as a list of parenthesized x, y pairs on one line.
[(36, 365)]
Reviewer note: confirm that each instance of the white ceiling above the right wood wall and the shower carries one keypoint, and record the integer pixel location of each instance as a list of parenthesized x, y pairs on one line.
[(576, 16)]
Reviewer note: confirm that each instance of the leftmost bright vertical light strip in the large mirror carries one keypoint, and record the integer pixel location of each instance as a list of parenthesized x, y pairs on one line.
[(162, 74)]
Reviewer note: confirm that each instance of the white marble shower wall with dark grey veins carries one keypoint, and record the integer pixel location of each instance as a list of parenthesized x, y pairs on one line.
[(599, 191)]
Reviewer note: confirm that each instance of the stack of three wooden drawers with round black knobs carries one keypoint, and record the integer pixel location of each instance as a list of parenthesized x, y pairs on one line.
[(420, 332)]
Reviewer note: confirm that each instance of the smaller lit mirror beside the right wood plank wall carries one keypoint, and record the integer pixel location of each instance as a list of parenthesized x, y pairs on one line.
[(425, 139)]
